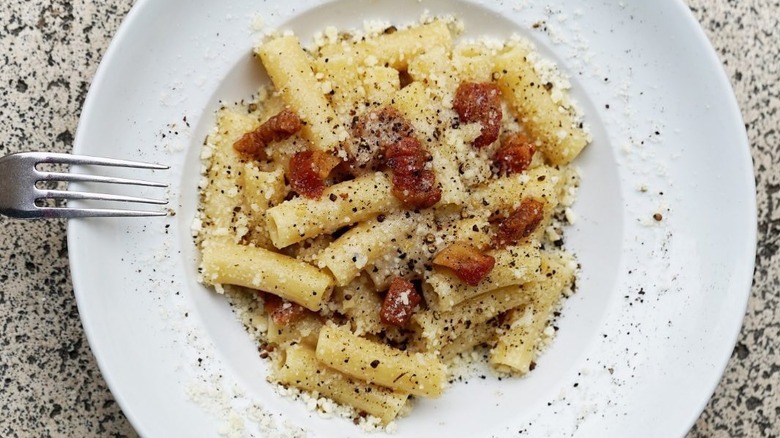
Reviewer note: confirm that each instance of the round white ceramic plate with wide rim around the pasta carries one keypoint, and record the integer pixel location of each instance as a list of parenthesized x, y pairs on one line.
[(641, 345)]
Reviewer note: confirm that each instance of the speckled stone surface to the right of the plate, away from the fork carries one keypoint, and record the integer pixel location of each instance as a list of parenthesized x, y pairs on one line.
[(746, 35)]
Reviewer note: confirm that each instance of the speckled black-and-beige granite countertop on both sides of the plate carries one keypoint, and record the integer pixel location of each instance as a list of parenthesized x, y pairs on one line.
[(51, 385)]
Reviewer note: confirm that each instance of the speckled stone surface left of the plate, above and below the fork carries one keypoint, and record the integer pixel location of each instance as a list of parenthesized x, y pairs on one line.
[(49, 382)]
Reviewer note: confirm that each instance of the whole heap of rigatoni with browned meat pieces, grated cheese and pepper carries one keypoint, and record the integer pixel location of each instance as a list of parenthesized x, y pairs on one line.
[(394, 200)]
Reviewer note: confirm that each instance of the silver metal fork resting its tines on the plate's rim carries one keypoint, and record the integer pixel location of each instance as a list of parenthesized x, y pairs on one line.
[(19, 196)]
